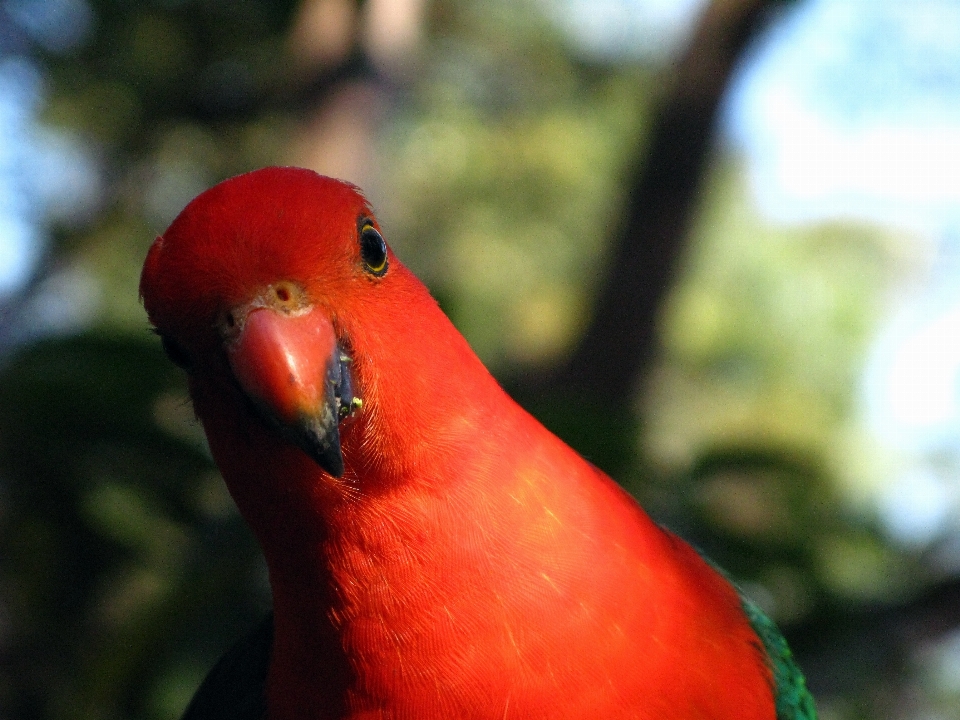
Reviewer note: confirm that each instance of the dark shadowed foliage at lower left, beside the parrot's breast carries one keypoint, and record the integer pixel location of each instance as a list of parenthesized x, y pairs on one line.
[(126, 567)]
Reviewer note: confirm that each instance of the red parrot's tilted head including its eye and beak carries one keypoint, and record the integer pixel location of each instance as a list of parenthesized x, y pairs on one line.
[(259, 290)]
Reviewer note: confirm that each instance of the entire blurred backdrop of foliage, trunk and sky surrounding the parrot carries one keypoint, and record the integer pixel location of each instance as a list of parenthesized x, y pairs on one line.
[(714, 244)]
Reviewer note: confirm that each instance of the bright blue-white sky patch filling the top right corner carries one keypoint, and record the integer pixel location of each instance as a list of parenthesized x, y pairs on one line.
[(851, 108)]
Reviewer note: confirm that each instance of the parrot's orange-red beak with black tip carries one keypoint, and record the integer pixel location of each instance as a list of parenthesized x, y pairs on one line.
[(291, 368)]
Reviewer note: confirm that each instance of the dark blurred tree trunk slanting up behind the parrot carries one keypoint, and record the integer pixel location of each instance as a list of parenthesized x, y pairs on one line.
[(620, 340)]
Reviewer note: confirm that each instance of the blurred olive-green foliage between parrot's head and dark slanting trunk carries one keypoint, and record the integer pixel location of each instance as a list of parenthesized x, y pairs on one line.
[(505, 166)]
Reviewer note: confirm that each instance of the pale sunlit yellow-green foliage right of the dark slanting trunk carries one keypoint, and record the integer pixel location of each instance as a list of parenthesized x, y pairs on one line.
[(765, 335)]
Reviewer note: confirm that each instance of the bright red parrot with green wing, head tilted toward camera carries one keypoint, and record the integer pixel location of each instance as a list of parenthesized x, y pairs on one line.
[(434, 552)]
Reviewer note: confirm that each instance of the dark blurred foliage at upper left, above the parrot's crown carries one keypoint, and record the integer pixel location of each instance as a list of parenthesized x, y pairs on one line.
[(167, 99)]
